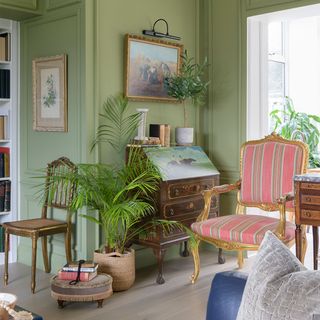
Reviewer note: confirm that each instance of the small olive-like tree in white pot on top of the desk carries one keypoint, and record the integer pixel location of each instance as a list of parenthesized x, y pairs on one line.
[(186, 84)]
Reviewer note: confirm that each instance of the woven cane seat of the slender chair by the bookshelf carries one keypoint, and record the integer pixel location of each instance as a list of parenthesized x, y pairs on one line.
[(36, 224)]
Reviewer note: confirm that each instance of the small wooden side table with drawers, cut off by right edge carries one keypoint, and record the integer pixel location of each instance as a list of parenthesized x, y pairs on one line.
[(307, 210)]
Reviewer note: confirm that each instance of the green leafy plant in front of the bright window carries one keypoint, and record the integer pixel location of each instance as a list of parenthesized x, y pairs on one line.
[(291, 124)]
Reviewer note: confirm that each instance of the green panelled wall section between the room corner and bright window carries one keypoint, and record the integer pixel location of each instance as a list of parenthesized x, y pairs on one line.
[(224, 42)]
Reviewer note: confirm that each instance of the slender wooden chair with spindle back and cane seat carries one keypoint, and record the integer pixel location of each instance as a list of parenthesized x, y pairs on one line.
[(58, 194)]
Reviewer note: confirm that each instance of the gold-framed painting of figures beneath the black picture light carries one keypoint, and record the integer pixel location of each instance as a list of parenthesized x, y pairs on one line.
[(147, 62)]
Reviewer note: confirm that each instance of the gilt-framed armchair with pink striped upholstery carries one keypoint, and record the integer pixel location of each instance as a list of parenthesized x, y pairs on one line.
[(267, 168)]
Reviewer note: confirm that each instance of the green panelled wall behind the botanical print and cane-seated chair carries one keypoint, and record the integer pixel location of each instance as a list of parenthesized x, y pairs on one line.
[(59, 30)]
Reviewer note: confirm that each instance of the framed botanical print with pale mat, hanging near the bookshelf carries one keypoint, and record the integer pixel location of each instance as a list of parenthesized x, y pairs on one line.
[(49, 76)]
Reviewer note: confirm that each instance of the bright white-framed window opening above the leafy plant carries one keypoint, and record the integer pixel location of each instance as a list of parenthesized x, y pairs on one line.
[(283, 60)]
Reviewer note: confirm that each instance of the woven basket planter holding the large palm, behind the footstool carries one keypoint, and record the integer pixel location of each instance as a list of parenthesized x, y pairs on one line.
[(121, 267)]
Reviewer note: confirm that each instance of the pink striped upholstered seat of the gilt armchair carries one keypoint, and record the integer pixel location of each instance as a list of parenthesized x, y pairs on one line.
[(247, 229)]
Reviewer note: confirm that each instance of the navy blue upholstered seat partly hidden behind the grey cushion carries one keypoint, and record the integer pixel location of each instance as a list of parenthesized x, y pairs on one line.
[(225, 295)]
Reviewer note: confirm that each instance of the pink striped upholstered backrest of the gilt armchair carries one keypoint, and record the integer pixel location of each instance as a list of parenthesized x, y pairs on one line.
[(267, 171)]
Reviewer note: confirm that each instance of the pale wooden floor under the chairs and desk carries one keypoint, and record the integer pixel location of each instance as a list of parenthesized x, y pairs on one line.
[(177, 299)]
